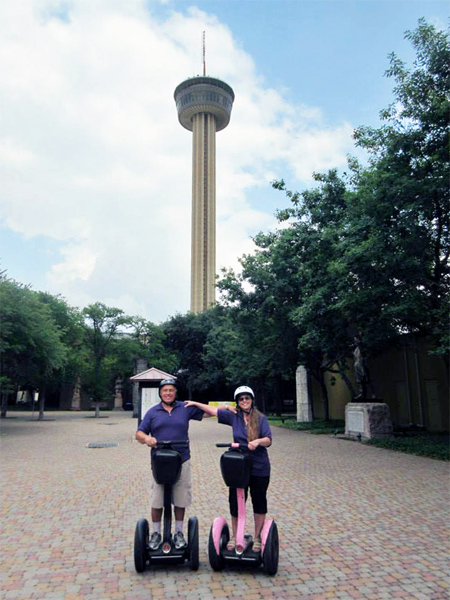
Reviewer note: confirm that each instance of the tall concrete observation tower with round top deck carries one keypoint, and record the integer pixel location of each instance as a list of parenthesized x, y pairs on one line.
[(204, 107)]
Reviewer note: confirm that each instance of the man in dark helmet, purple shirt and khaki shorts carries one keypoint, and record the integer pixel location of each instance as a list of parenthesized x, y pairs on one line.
[(169, 420)]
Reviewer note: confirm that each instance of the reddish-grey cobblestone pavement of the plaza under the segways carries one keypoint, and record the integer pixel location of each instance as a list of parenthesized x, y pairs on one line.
[(354, 521)]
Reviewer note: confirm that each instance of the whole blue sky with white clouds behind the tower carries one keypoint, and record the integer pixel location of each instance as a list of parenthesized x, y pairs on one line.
[(95, 197)]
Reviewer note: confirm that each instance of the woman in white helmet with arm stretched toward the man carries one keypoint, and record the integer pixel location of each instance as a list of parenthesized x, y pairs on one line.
[(250, 427)]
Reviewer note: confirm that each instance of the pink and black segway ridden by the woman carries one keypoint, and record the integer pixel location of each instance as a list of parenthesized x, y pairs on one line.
[(236, 466)]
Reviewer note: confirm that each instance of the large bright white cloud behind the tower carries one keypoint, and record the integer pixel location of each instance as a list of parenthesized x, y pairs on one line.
[(92, 154)]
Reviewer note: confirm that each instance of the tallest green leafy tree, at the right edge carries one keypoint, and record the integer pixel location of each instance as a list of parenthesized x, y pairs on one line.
[(404, 195)]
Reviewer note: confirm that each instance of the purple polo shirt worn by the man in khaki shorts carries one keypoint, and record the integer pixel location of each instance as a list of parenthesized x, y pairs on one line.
[(163, 425)]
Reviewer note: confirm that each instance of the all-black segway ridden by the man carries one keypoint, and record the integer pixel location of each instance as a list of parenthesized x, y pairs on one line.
[(166, 467)]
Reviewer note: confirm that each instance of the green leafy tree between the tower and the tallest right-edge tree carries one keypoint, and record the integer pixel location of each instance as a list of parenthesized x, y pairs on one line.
[(291, 305)]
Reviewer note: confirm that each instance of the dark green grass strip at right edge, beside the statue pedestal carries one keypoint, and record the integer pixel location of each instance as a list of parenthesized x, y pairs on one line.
[(432, 445)]
